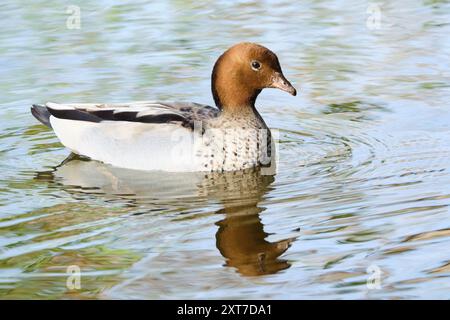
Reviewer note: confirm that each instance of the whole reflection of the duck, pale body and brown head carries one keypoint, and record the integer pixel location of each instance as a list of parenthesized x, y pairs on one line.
[(240, 238)]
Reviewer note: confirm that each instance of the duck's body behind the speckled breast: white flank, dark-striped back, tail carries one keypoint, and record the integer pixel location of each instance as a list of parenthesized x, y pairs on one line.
[(139, 135)]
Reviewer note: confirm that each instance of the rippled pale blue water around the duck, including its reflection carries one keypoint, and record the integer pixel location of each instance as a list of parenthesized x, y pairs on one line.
[(363, 182)]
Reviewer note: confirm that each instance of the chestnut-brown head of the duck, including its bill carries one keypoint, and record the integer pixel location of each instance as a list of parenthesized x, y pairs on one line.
[(242, 72)]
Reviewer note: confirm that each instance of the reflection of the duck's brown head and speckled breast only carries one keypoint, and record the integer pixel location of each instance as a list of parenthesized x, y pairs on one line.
[(241, 238)]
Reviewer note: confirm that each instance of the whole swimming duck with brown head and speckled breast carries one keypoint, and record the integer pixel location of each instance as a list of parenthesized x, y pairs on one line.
[(176, 136)]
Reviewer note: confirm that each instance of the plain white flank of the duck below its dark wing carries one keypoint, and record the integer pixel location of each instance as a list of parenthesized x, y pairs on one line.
[(133, 145)]
